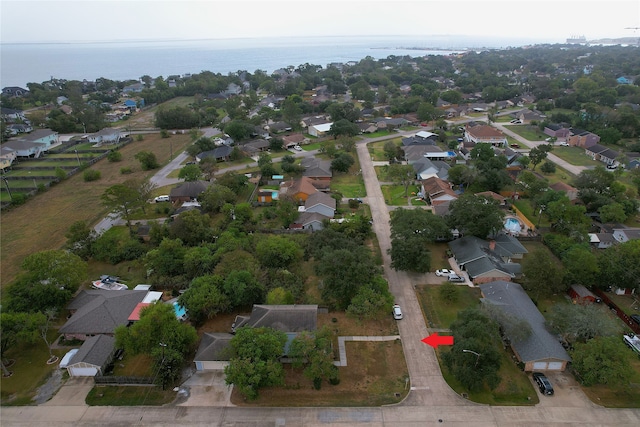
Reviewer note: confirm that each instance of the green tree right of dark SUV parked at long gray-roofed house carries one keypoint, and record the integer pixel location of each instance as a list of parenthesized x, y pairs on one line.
[(603, 360)]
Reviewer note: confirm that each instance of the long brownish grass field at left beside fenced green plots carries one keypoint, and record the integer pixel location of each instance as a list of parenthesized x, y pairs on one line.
[(41, 223)]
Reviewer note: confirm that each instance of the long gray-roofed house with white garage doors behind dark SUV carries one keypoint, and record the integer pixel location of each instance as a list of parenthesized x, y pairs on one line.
[(540, 350)]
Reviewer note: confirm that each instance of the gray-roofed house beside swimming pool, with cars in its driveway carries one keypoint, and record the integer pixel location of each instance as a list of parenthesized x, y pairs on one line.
[(486, 261)]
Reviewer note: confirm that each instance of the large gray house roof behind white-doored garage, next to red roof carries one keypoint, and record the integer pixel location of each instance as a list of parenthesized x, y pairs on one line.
[(100, 311)]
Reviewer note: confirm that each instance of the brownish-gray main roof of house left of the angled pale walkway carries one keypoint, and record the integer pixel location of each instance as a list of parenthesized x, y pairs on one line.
[(285, 318)]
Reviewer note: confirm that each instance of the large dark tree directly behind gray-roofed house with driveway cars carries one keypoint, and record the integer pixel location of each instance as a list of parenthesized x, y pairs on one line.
[(478, 216)]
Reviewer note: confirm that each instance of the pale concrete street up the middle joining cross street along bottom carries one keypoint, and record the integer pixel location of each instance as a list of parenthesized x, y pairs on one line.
[(430, 402)]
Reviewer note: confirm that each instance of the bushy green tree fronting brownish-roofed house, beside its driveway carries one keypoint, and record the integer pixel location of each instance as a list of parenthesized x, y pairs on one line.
[(254, 363)]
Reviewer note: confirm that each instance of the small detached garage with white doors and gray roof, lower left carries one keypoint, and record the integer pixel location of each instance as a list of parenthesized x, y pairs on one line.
[(93, 357)]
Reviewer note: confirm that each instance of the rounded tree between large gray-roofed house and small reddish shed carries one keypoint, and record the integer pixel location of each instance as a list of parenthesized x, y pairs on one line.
[(542, 274)]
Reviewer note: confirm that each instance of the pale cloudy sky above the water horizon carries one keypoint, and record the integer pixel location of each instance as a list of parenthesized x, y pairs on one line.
[(89, 20)]
